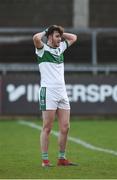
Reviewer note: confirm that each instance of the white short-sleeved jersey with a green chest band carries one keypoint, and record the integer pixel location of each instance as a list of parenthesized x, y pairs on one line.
[(51, 65)]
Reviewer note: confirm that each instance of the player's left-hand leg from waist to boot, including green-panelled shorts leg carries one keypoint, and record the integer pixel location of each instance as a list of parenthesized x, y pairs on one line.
[(48, 106)]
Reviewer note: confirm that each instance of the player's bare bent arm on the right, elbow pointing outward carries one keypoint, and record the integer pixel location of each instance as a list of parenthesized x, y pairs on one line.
[(70, 38)]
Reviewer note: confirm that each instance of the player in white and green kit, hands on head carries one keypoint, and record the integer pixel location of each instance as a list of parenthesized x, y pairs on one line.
[(52, 96)]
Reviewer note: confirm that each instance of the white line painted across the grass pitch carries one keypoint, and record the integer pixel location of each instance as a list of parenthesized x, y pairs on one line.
[(72, 139)]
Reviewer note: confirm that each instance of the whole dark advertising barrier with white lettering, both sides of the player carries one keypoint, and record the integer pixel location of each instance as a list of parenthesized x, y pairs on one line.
[(88, 95)]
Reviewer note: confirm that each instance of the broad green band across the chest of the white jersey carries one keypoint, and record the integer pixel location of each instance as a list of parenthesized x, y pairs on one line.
[(49, 57)]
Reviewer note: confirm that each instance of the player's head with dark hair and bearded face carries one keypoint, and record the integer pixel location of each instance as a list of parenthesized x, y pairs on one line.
[(54, 35)]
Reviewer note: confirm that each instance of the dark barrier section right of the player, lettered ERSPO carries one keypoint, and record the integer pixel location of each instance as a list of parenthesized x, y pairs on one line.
[(92, 95)]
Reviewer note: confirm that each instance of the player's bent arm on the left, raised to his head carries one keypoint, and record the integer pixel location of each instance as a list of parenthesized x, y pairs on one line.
[(37, 39)]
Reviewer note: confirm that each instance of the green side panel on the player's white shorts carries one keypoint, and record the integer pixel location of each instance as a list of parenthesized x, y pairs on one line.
[(43, 98)]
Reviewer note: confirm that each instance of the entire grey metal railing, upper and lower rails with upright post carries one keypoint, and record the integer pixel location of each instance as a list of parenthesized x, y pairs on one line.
[(92, 67)]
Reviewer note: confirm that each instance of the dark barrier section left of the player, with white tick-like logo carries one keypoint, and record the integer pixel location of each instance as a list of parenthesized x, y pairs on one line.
[(20, 93)]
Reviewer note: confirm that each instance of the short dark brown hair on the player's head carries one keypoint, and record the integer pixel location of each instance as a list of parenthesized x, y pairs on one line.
[(53, 28)]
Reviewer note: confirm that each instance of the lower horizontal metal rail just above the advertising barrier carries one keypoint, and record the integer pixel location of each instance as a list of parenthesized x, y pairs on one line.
[(33, 67)]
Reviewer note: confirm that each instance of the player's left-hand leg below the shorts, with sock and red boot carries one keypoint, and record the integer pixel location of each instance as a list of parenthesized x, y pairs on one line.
[(48, 119)]
